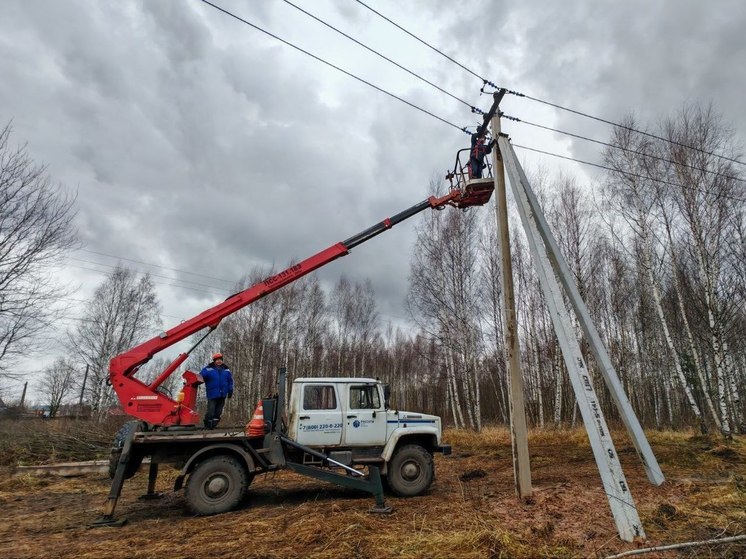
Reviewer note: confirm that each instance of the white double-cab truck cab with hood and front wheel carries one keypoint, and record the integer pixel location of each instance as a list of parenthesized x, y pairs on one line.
[(348, 420)]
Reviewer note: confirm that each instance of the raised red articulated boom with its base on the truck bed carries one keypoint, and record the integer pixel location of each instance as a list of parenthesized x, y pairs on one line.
[(145, 402)]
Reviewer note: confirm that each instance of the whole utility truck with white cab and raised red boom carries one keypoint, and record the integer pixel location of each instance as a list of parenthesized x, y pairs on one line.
[(336, 427)]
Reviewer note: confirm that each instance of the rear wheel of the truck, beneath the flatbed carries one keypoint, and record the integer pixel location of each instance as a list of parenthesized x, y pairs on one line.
[(216, 485)]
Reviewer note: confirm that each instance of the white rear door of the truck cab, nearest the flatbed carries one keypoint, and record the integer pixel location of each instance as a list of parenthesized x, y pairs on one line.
[(320, 416)]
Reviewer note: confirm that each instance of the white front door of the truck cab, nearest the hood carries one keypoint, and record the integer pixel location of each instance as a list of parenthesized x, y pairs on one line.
[(365, 418)]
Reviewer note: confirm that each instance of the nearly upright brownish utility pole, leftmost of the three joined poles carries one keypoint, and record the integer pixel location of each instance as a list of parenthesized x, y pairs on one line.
[(518, 429)]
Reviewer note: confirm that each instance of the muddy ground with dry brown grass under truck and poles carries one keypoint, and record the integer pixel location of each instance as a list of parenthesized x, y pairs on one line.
[(470, 511)]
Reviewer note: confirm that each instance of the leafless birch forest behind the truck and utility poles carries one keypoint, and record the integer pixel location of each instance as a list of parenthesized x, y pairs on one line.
[(658, 250)]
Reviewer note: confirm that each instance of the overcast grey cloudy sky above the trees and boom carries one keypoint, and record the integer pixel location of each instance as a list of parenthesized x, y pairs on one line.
[(196, 143)]
